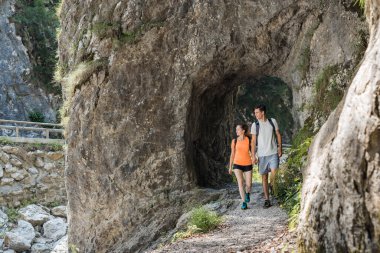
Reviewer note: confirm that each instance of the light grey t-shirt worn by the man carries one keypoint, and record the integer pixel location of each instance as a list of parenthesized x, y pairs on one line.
[(267, 140)]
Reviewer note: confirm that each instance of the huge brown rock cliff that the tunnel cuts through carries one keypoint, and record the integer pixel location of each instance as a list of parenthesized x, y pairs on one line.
[(150, 88)]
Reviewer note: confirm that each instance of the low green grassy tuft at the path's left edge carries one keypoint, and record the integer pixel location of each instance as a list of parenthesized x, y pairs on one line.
[(201, 221)]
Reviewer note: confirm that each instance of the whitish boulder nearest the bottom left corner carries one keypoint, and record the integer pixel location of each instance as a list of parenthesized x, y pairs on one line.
[(20, 238)]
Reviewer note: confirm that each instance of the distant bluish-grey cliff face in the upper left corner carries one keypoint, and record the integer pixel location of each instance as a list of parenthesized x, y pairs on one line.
[(19, 95)]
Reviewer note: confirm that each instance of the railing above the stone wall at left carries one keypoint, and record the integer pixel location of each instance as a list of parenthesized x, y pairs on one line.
[(44, 129)]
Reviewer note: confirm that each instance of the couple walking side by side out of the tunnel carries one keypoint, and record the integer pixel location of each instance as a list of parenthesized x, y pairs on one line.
[(266, 136)]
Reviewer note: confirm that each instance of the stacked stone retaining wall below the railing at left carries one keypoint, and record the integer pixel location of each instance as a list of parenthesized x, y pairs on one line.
[(31, 176)]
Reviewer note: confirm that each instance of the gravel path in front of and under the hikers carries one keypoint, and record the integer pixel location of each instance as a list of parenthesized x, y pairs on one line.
[(253, 230)]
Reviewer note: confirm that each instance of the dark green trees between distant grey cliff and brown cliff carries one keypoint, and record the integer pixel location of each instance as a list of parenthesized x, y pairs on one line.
[(37, 23)]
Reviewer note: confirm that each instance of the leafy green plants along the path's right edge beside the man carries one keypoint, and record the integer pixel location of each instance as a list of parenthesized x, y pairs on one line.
[(289, 181)]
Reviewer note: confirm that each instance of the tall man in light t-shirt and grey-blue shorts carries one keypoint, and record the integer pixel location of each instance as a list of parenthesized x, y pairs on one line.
[(266, 134)]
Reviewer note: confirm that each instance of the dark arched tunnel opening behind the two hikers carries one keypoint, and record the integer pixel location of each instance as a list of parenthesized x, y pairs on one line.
[(216, 110)]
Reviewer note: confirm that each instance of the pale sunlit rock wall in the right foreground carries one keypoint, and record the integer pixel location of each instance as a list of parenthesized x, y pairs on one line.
[(340, 207)]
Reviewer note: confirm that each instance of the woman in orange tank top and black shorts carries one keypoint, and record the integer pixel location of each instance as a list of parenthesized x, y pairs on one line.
[(241, 162)]
